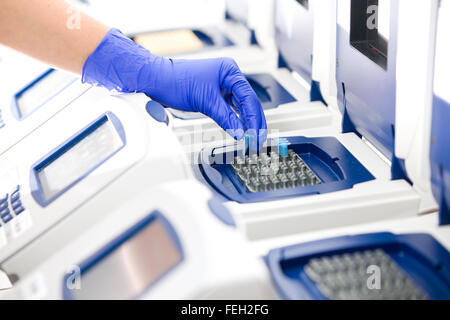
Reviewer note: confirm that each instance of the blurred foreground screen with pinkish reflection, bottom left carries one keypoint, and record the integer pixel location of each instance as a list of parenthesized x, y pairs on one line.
[(129, 269)]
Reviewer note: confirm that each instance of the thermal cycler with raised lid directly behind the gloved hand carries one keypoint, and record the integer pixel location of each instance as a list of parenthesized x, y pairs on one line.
[(289, 96)]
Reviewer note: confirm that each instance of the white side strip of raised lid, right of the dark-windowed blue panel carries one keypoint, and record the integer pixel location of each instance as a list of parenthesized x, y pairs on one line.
[(417, 21)]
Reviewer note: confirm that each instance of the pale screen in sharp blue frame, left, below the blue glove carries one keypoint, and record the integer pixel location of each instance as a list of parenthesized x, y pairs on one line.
[(78, 157)]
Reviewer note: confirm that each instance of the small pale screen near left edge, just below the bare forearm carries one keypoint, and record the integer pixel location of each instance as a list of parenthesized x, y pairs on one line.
[(42, 91)]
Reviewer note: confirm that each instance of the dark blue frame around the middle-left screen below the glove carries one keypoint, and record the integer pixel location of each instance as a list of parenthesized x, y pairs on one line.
[(35, 184)]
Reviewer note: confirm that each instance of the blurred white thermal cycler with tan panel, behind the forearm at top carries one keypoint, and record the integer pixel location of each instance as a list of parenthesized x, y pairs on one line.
[(183, 29)]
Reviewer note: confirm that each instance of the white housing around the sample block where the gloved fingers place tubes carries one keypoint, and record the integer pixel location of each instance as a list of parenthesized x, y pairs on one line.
[(379, 199)]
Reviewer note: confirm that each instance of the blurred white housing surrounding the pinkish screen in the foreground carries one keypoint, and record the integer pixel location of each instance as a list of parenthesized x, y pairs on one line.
[(217, 263)]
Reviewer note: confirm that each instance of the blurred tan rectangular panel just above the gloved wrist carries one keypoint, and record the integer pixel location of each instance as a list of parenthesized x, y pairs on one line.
[(170, 42)]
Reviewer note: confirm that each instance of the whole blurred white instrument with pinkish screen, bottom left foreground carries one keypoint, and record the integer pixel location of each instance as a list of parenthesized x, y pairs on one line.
[(151, 247)]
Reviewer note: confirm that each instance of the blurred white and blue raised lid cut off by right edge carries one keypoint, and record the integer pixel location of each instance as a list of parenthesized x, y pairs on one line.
[(440, 130)]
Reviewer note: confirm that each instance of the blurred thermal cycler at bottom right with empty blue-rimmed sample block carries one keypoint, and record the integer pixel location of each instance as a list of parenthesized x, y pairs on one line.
[(402, 259)]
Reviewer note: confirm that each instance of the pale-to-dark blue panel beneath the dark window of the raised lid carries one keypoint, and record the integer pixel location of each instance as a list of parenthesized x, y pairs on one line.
[(366, 97)]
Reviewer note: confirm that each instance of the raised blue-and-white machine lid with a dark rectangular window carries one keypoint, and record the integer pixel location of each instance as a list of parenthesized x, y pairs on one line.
[(366, 51)]
